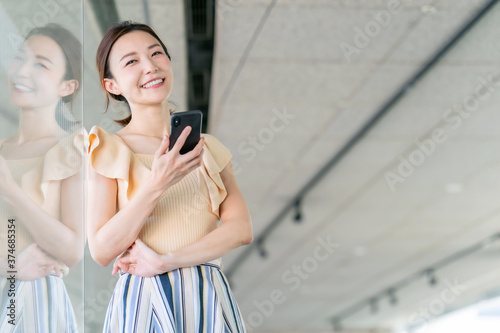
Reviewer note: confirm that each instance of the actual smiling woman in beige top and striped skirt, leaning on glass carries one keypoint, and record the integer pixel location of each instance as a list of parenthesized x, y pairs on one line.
[(156, 208)]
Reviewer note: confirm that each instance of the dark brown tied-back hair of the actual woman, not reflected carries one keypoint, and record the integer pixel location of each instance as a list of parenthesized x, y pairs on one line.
[(102, 57)]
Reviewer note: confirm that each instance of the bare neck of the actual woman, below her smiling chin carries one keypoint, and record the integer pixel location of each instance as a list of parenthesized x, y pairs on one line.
[(150, 120)]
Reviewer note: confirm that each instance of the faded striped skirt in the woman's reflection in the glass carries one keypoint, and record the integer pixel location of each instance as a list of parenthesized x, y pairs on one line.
[(40, 306)]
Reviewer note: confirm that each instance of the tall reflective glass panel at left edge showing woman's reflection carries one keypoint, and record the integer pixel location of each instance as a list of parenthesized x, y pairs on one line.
[(41, 166)]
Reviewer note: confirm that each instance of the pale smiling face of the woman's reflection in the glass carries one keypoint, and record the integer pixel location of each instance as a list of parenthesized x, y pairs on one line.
[(37, 72)]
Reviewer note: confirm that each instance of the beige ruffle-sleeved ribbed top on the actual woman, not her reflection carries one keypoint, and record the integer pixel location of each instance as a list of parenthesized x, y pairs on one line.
[(187, 211)]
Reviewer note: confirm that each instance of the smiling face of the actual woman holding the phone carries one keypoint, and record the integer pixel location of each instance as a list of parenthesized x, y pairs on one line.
[(141, 71)]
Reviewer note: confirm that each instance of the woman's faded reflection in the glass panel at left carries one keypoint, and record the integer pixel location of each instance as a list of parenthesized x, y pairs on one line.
[(41, 231)]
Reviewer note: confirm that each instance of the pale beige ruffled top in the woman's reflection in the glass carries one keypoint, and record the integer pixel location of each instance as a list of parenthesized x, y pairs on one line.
[(40, 178)]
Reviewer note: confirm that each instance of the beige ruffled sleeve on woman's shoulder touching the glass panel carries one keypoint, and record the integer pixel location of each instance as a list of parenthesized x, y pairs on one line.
[(112, 158)]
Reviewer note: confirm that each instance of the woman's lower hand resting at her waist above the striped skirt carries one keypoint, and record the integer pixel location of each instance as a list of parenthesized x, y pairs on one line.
[(143, 261)]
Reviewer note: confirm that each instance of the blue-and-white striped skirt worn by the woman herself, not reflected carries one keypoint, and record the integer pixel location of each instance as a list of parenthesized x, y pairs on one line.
[(186, 300)]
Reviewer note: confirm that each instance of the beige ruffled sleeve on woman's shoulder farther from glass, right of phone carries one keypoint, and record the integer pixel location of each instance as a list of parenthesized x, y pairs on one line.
[(215, 158)]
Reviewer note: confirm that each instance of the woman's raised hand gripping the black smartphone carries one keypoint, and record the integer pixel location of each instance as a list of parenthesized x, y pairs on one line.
[(169, 166)]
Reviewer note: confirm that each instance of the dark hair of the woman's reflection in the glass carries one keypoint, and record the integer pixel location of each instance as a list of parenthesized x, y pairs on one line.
[(72, 49)]
